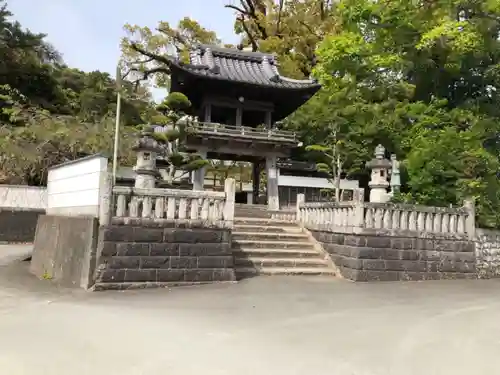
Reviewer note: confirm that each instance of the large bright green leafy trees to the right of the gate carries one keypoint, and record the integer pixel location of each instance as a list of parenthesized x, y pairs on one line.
[(418, 76)]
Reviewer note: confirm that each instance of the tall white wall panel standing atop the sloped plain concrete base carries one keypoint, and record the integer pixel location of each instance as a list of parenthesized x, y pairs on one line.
[(74, 188)]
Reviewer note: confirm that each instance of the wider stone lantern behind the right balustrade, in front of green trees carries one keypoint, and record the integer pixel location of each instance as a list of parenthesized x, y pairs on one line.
[(378, 184)]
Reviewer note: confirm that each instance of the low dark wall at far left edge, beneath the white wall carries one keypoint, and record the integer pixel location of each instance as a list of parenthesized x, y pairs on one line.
[(18, 224)]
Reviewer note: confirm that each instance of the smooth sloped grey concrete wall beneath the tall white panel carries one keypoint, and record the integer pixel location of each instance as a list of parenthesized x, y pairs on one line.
[(64, 250)]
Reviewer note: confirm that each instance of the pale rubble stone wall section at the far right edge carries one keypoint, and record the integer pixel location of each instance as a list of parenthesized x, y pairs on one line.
[(488, 252)]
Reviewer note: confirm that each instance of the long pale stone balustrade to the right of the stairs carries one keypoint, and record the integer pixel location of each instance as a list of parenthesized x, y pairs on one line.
[(357, 216)]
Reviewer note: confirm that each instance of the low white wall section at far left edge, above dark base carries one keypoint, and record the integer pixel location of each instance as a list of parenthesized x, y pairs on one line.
[(23, 197)]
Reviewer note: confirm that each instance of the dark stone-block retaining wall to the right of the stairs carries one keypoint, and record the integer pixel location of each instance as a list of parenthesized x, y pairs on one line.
[(390, 257)]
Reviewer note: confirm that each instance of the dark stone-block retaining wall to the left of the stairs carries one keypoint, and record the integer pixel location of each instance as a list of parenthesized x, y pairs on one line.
[(136, 253)]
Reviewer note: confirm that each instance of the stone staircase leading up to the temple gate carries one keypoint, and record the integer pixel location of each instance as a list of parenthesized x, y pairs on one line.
[(265, 246)]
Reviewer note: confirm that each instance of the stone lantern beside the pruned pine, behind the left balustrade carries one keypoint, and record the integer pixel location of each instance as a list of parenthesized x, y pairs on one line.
[(147, 149)]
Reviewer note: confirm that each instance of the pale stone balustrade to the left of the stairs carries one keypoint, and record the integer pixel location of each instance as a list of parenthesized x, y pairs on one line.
[(172, 204)]
